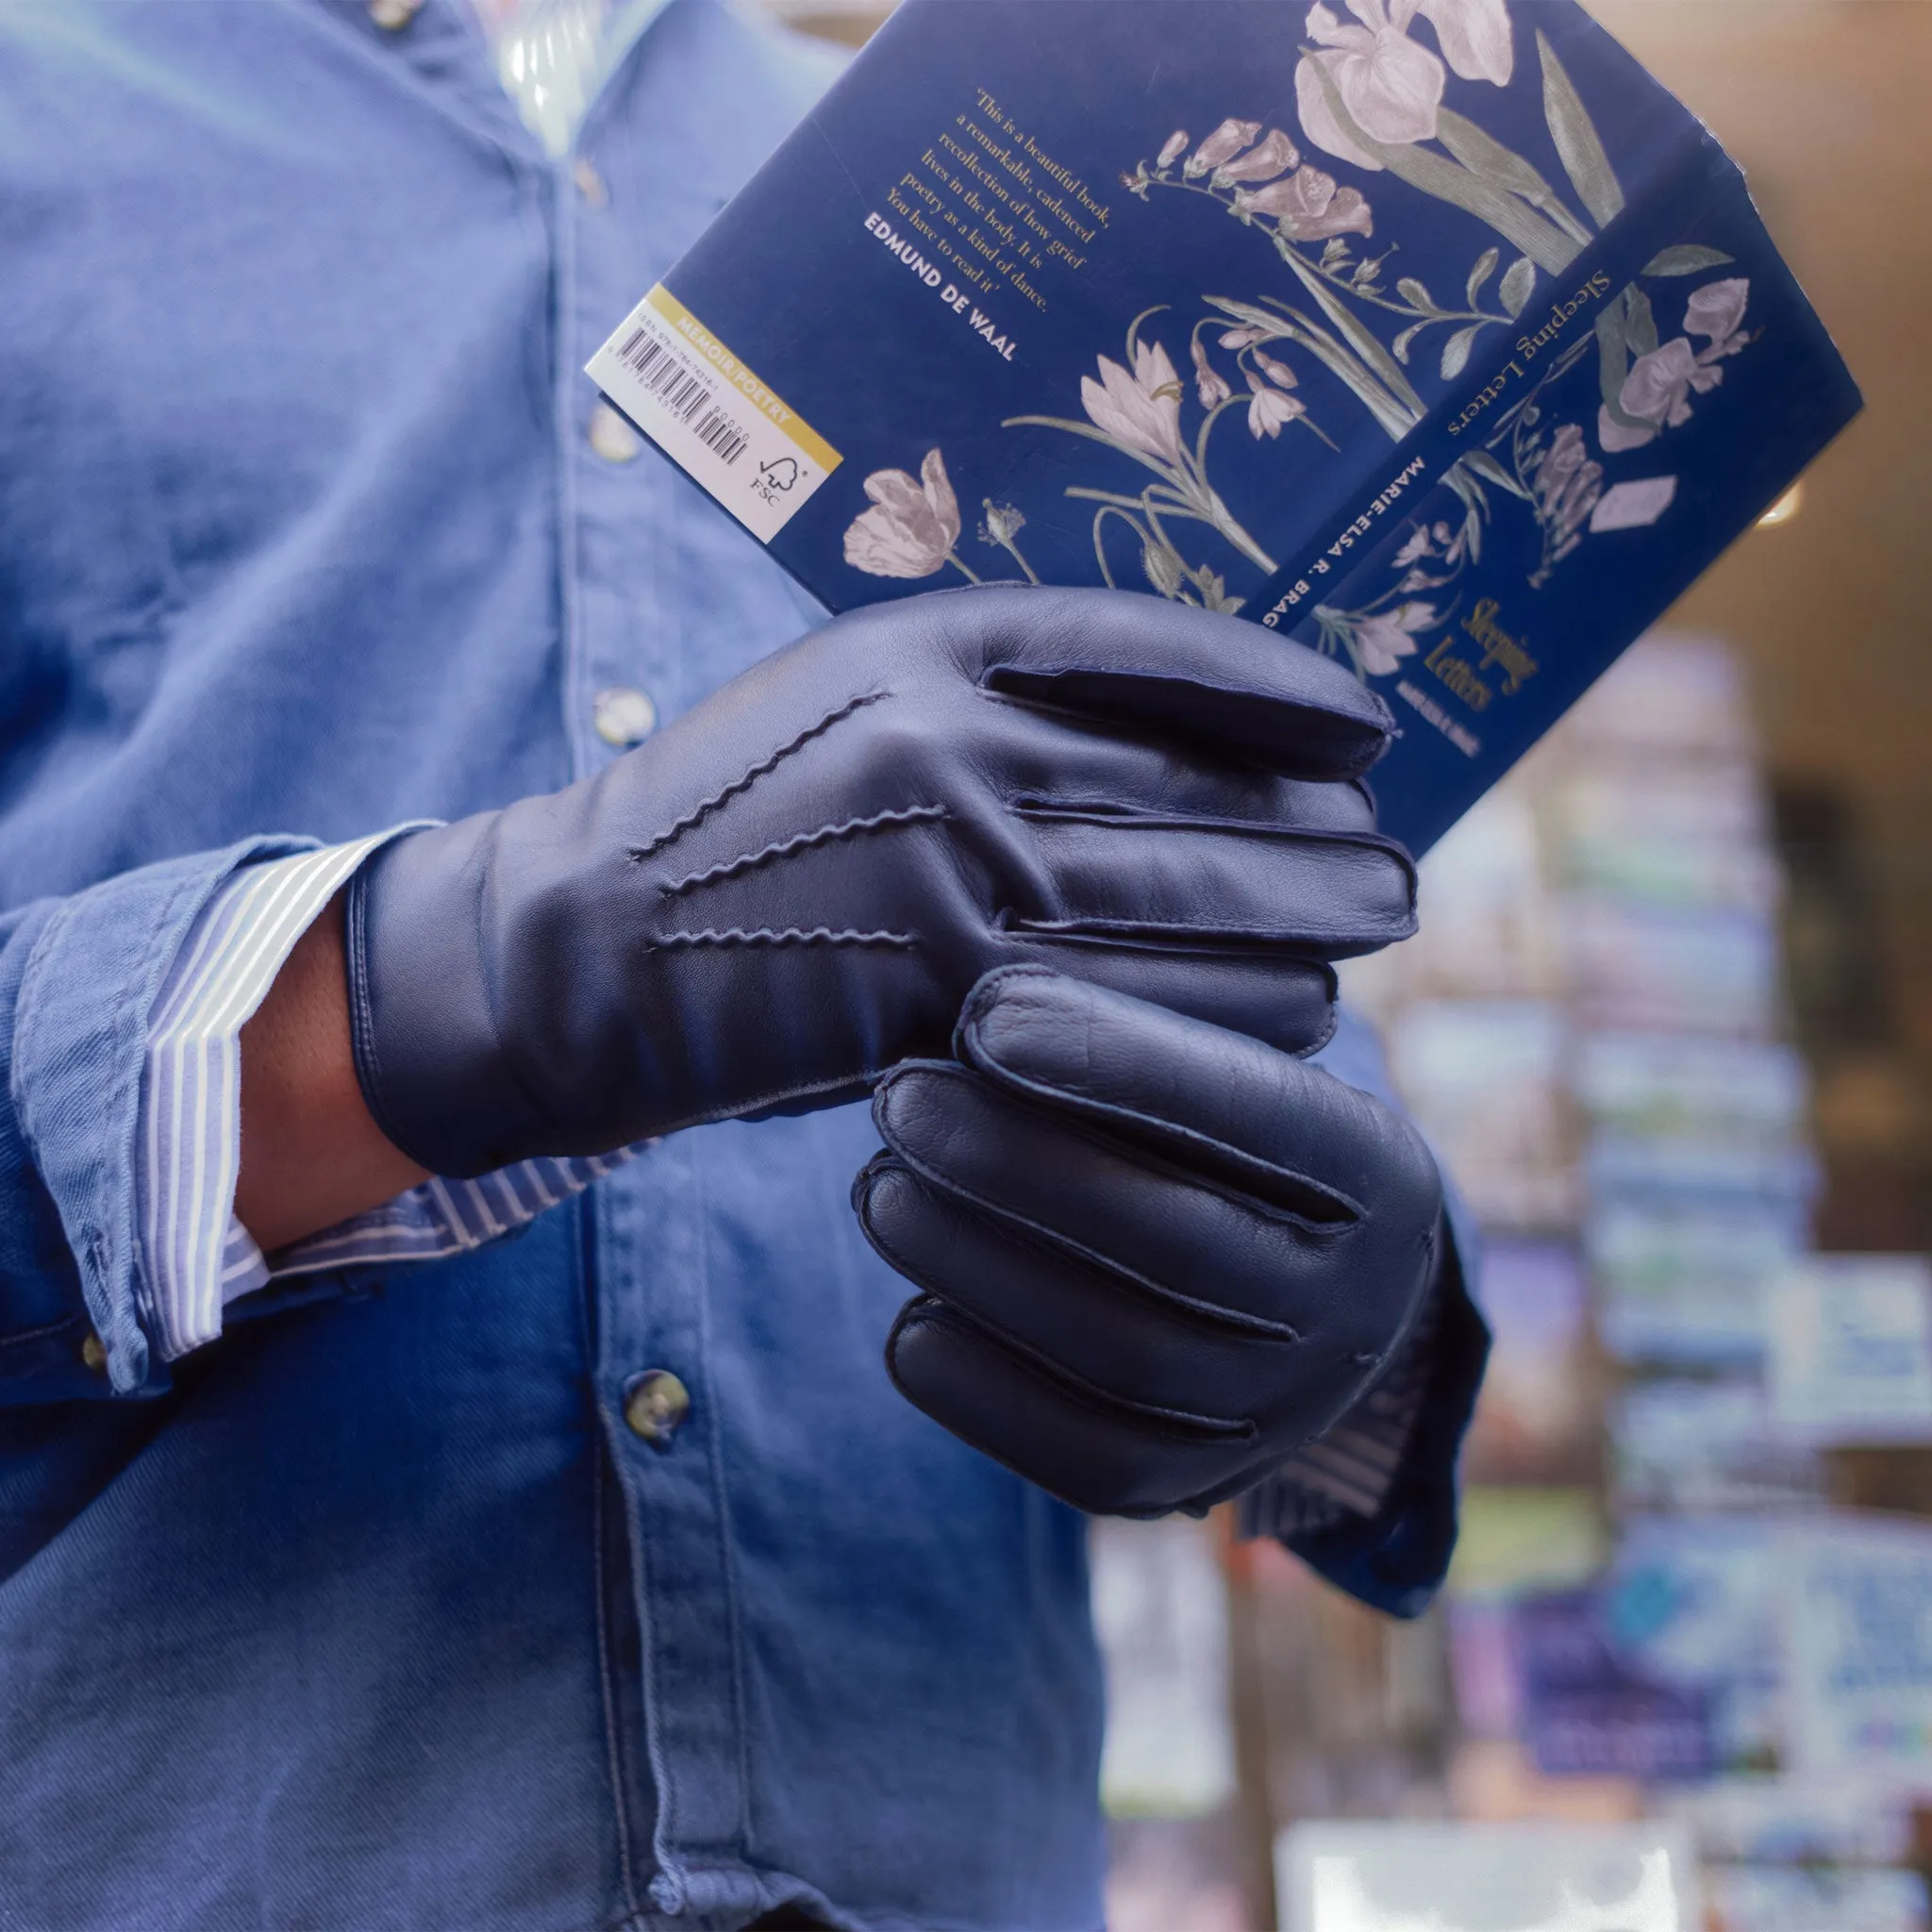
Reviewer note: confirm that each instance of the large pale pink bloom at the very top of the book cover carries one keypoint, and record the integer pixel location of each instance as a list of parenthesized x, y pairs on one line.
[(1388, 84)]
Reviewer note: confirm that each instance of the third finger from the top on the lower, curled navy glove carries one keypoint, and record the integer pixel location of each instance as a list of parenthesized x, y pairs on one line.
[(1094, 1326)]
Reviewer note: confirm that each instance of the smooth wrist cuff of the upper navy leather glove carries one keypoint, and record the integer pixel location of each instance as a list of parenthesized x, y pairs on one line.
[(422, 1019)]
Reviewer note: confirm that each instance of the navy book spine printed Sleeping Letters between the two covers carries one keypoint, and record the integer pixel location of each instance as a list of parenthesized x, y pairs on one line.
[(1672, 206)]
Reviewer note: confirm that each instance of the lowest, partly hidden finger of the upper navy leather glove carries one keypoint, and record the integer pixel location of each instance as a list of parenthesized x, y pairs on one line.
[(1286, 1002)]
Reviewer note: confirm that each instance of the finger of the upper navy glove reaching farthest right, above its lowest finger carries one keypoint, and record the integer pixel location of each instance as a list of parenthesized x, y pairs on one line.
[(1181, 882)]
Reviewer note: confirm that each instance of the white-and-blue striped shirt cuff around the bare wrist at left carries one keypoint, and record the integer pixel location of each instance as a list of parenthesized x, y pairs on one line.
[(198, 1257)]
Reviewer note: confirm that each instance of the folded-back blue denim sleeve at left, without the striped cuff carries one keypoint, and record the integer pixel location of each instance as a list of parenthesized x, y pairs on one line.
[(78, 986)]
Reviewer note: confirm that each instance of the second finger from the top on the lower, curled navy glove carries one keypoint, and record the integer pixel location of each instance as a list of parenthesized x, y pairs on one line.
[(1301, 1261)]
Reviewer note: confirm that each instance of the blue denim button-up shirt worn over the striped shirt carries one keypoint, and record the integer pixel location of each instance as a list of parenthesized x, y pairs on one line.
[(374, 1614)]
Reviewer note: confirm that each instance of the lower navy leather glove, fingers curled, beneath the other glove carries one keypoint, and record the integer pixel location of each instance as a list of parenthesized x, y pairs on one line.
[(1158, 1257)]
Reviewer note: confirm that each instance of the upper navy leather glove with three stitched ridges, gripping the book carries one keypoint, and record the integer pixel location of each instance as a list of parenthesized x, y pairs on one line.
[(795, 886)]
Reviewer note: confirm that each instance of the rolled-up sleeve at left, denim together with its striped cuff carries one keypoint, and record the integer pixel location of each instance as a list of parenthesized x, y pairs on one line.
[(121, 1125)]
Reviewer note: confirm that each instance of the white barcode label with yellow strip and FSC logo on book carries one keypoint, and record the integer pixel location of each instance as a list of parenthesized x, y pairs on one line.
[(712, 416)]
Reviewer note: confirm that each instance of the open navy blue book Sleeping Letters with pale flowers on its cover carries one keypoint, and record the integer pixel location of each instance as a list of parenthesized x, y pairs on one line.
[(1429, 333)]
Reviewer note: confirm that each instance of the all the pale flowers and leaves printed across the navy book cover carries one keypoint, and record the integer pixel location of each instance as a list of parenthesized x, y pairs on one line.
[(1572, 457)]
